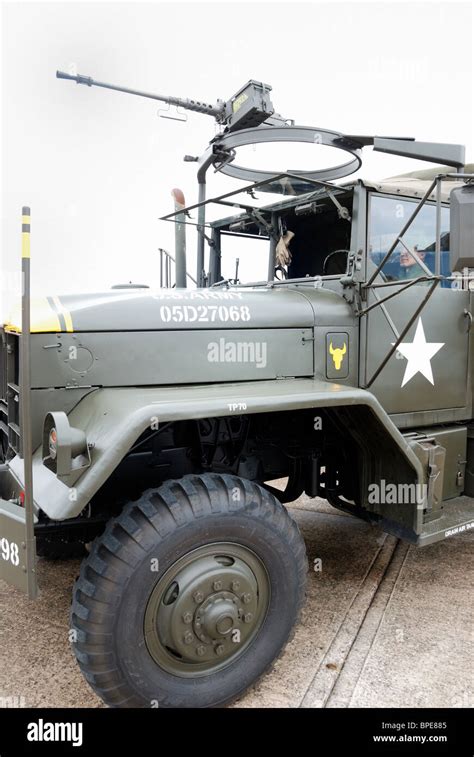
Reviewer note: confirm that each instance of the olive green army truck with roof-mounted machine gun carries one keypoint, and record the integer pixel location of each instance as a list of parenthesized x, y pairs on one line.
[(147, 429)]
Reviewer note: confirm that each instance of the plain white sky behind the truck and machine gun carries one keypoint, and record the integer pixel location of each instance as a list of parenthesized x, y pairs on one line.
[(97, 167)]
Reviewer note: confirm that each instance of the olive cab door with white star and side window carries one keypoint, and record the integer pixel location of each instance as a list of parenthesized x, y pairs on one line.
[(429, 371)]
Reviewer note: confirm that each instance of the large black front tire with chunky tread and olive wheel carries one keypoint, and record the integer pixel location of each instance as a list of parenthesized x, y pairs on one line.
[(189, 595)]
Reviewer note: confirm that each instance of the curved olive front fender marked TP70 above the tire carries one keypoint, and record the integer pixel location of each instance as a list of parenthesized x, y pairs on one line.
[(114, 418)]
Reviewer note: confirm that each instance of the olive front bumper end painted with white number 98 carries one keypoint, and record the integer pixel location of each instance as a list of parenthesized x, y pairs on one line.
[(17, 553)]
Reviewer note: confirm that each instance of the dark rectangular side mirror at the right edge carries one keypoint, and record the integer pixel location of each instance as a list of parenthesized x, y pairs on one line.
[(462, 227)]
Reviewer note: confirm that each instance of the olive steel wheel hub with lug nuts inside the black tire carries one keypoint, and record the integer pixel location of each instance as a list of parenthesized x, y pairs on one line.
[(206, 609)]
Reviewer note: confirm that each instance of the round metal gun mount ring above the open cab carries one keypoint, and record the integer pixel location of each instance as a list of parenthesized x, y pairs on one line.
[(308, 134)]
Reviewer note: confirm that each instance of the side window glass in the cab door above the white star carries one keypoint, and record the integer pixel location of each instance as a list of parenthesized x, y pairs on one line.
[(388, 215)]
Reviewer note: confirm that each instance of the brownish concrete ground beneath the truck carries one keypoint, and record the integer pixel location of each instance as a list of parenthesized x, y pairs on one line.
[(384, 625)]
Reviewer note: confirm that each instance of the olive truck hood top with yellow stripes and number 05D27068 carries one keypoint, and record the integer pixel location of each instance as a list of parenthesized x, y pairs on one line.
[(169, 309)]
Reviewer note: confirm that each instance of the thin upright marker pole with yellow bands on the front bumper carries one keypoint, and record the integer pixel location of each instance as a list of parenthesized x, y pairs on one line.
[(26, 450)]
